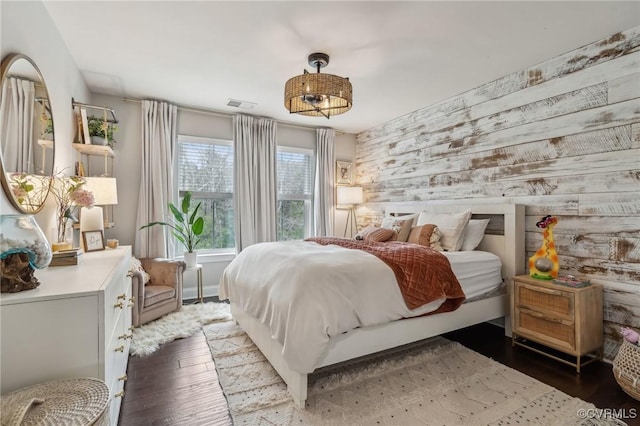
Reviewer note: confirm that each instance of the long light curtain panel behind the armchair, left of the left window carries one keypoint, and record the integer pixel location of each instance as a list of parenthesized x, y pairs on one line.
[(159, 140)]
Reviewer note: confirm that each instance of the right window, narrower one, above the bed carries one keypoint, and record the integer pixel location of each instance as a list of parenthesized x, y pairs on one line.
[(295, 188)]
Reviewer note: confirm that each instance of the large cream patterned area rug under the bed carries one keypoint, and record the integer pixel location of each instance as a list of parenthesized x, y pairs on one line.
[(437, 382)]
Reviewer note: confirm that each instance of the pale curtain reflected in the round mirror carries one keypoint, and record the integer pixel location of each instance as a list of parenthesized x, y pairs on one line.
[(16, 124)]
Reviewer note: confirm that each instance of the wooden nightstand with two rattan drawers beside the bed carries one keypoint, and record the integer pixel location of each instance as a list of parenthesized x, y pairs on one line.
[(562, 318)]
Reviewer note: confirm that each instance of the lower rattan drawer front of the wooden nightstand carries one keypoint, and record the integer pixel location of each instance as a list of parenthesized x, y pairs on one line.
[(554, 331)]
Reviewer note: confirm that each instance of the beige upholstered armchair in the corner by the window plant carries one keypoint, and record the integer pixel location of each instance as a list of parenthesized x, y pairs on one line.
[(162, 294)]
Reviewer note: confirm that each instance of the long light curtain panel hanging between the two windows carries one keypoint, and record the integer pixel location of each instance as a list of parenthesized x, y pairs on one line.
[(255, 189)]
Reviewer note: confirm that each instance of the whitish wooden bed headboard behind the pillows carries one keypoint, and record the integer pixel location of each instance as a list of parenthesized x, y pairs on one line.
[(504, 235)]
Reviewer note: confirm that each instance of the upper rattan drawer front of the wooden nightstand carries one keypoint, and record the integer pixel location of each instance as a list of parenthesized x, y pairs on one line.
[(557, 303)]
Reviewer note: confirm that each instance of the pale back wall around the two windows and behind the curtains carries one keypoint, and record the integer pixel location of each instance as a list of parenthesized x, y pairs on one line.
[(127, 171)]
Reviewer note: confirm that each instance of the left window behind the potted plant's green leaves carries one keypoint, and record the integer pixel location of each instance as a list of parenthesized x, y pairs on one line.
[(205, 167)]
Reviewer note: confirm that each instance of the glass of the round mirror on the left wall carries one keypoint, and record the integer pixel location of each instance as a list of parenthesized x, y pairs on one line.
[(26, 134)]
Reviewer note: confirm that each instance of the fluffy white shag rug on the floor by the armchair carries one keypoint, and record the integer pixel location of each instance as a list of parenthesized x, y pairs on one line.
[(177, 325)]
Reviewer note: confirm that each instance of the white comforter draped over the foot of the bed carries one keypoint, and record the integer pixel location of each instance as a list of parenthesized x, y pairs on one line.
[(306, 293)]
